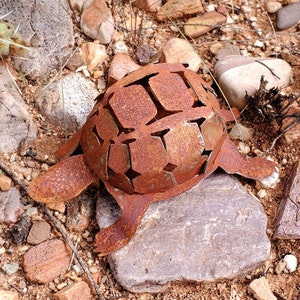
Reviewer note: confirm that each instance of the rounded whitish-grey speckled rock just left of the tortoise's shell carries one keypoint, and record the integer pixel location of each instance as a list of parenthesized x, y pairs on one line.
[(68, 101)]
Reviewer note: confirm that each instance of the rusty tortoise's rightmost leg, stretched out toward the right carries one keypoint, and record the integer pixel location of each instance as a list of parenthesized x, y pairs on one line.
[(231, 161)]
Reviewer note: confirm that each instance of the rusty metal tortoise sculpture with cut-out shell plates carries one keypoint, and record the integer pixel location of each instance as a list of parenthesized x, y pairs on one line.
[(153, 135)]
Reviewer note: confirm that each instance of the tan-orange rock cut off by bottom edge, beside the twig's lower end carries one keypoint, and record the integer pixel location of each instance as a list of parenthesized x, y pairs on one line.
[(77, 291)]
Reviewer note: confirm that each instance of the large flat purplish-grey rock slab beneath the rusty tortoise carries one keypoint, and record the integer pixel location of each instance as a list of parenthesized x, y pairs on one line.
[(215, 230)]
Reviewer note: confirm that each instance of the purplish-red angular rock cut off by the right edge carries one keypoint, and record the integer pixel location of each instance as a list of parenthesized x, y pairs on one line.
[(287, 222)]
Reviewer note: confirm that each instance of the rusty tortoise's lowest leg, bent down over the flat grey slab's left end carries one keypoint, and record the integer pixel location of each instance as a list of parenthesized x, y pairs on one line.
[(119, 233)]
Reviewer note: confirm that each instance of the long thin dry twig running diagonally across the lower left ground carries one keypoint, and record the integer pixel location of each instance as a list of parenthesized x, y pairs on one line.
[(57, 225)]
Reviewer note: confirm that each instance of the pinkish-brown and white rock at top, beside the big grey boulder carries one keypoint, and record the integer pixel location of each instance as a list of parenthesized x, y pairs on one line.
[(97, 21)]
